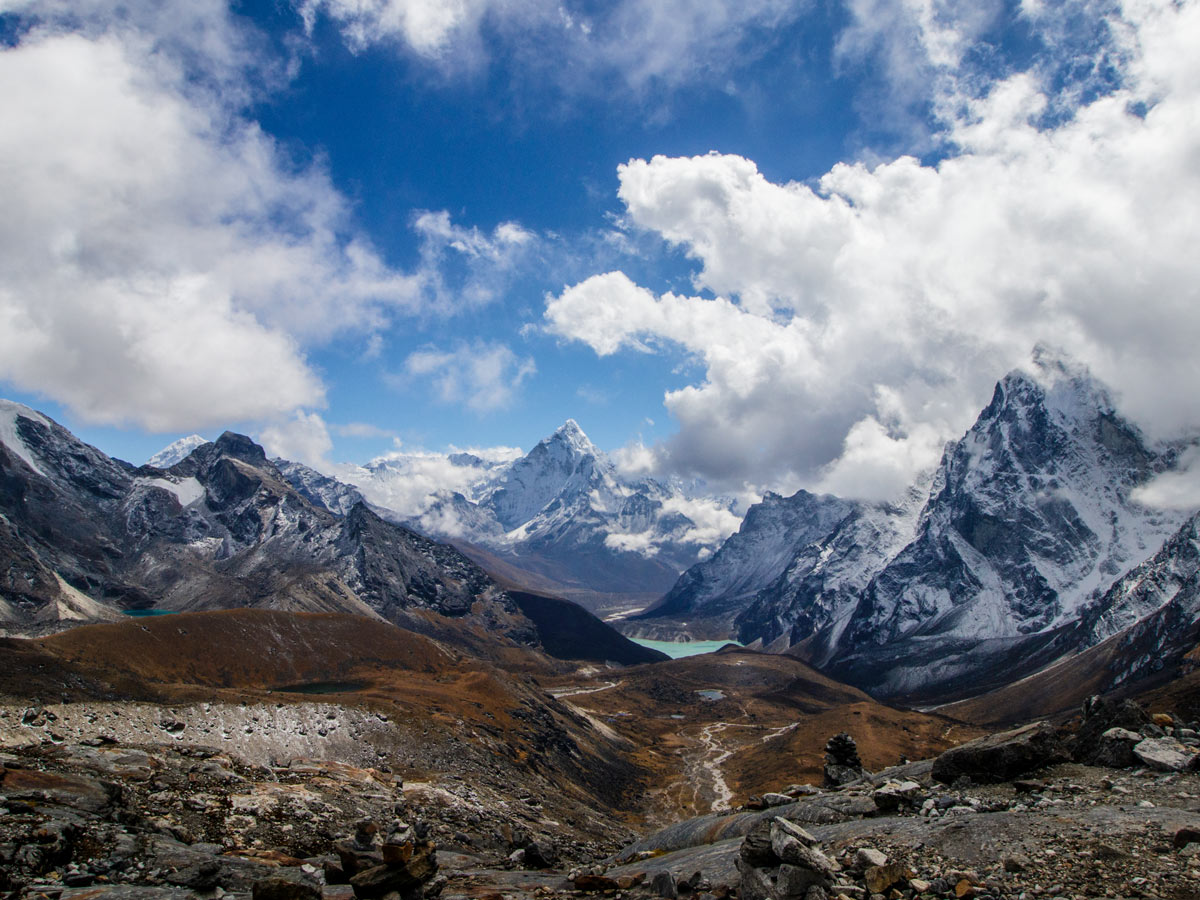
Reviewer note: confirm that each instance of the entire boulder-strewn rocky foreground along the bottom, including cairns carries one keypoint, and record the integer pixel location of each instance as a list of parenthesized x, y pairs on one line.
[(1109, 811)]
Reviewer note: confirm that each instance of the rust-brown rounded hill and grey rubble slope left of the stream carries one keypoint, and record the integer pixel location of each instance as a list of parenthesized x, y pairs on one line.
[(212, 749)]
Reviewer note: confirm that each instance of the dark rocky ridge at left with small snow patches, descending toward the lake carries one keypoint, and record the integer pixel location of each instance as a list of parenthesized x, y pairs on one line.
[(87, 538)]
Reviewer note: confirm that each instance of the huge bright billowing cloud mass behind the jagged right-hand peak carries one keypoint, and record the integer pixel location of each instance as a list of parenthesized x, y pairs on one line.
[(850, 327)]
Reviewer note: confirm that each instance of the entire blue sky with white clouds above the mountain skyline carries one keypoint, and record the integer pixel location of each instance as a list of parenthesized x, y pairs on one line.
[(770, 244)]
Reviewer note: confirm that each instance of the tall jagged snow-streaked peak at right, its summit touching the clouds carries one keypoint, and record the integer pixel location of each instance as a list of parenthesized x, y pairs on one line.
[(1030, 524)]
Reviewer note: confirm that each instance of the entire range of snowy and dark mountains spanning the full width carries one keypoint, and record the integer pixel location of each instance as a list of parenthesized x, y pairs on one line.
[(1024, 548)]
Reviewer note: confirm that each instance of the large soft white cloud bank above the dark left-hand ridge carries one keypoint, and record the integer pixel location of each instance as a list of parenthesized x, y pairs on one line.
[(163, 262)]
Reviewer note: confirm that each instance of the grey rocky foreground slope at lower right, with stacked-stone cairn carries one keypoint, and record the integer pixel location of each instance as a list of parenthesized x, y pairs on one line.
[(1005, 817)]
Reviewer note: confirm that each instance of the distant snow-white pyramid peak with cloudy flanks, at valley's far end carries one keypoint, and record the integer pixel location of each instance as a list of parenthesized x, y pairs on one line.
[(562, 514)]
